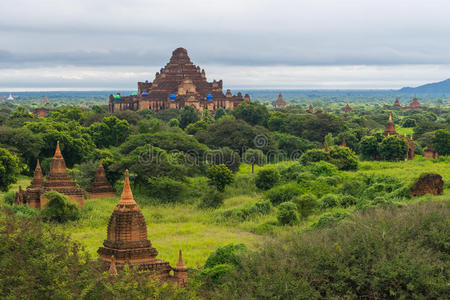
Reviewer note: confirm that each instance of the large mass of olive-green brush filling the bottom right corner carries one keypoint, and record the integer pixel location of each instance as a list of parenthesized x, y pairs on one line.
[(394, 253)]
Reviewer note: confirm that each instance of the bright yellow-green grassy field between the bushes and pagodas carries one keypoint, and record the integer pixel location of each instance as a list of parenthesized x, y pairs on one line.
[(199, 232)]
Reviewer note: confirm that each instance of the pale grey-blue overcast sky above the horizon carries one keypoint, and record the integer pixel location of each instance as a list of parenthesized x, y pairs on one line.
[(281, 44)]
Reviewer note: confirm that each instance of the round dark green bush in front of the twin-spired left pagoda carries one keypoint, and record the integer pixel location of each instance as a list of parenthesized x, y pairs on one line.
[(59, 208)]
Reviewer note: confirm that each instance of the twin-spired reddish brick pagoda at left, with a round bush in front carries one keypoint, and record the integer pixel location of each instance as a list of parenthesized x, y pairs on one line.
[(57, 180)]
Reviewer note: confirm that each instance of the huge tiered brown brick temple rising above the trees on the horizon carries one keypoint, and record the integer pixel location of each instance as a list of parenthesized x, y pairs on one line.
[(180, 83)]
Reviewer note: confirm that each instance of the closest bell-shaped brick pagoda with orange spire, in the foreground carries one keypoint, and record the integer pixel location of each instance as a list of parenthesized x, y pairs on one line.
[(127, 242)]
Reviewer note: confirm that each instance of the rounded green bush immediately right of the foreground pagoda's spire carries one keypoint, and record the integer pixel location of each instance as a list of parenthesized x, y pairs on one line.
[(165, 189)]
